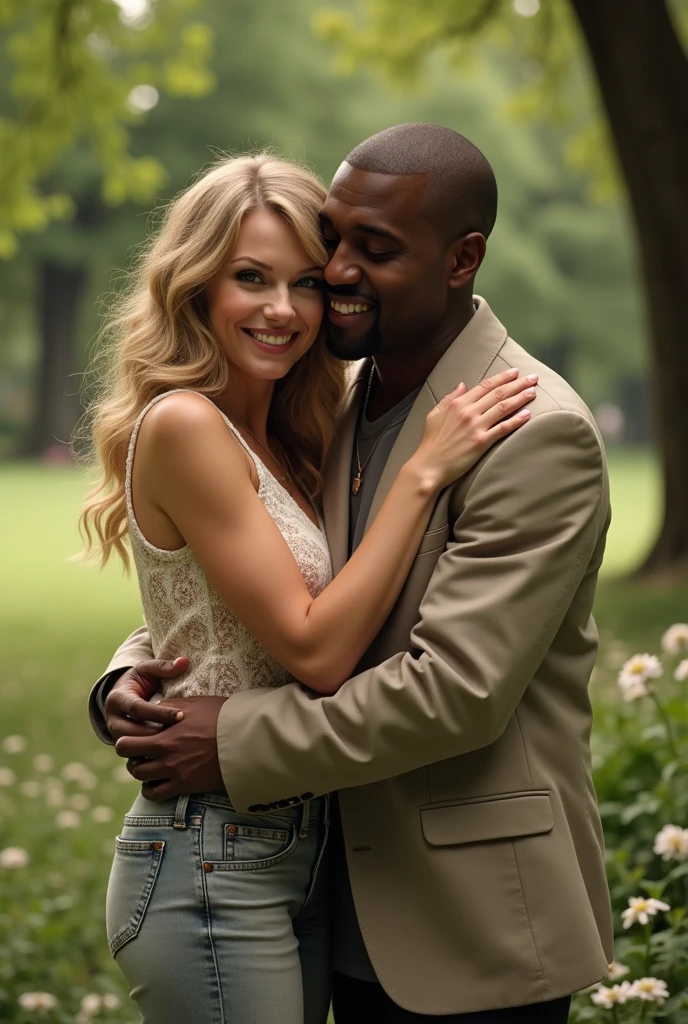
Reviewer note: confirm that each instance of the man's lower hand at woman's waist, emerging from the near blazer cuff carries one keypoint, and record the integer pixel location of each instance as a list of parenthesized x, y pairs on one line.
[(180, 759)]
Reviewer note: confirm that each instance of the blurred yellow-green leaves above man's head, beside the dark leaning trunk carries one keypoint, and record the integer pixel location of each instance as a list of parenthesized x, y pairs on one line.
[(543, 42)]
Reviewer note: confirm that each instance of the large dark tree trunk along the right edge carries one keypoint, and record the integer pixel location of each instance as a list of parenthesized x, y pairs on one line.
[(642, 74)]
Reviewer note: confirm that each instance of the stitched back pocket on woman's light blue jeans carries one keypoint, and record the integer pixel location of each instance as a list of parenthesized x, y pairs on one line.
[(132, 883)]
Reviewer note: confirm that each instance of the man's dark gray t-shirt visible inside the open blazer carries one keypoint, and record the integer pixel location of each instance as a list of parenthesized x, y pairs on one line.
[(351, 956)]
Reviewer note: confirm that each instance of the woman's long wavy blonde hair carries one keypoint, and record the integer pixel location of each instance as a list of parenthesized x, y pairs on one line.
[(161, 338)]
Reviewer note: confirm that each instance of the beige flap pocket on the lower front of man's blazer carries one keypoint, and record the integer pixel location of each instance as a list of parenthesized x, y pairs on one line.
[(505, 817)]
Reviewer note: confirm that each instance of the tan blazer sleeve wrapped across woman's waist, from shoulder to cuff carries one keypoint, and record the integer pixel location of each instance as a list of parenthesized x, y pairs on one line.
[(533, 517)]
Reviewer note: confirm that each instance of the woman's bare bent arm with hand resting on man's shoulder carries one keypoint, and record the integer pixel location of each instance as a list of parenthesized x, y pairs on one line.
[(195, 472)]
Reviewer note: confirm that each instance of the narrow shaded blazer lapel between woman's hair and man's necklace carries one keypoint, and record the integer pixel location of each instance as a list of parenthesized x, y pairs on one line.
[(337, 483)]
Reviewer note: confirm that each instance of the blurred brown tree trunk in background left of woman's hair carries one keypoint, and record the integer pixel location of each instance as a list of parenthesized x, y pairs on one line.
[(57, 396)]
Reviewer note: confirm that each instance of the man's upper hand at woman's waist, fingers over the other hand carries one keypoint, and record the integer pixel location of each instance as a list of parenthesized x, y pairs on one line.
[(128, 712)]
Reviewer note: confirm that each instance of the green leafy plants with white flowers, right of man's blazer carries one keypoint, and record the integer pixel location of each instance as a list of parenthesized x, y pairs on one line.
[(641, 760)]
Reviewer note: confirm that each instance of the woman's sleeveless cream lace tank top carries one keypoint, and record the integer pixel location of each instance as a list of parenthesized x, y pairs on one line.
[(185, 615)]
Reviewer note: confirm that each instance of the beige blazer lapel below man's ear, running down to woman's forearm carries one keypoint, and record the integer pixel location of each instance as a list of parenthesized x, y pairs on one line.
[(468, 360)]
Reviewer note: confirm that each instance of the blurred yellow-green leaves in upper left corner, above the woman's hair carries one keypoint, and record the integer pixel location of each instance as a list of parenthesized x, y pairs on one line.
[(85, 72)]
